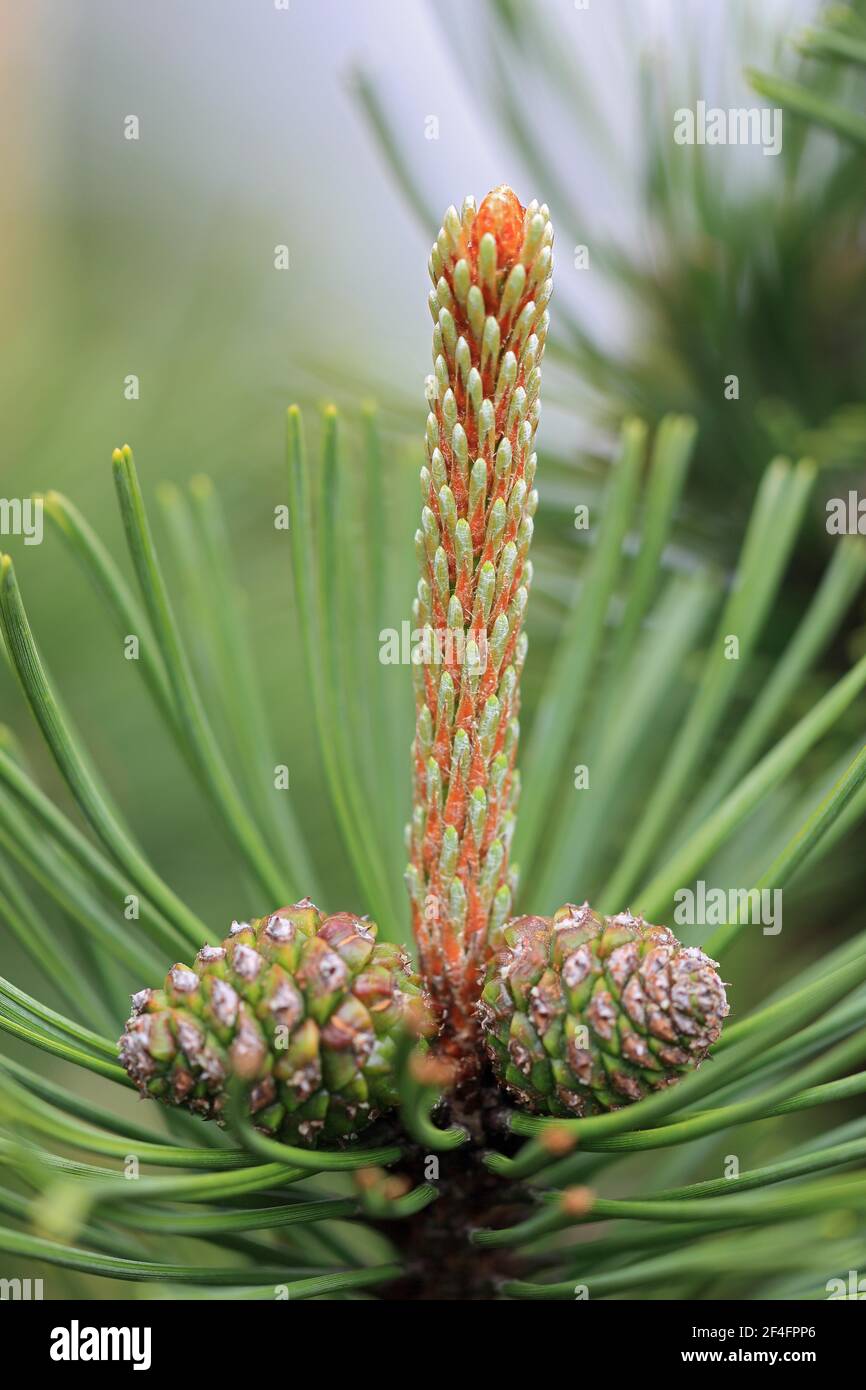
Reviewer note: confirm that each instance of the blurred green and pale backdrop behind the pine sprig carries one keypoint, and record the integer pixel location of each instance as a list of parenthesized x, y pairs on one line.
[(341, 133)]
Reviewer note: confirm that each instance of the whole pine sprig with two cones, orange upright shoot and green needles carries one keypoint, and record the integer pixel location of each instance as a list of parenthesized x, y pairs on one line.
[(579, 993)]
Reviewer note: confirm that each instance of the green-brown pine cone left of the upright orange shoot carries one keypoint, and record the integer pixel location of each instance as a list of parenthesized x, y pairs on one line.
[(305, 1010)]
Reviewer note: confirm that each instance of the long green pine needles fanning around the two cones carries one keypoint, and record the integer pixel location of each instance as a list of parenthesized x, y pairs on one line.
[(686, 785)]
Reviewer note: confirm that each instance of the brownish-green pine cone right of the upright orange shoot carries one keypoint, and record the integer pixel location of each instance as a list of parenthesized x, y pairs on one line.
[(585, 1014)]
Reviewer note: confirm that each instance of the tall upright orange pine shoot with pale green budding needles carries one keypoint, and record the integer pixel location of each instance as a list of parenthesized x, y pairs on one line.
[(491, 270)]
